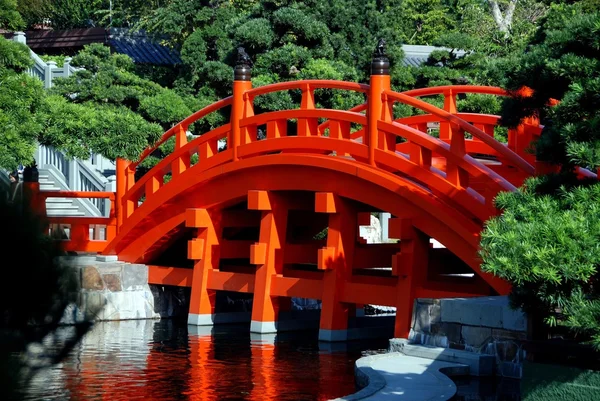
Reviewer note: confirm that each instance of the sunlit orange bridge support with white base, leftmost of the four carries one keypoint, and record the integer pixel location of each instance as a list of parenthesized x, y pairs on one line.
[(204, 250)]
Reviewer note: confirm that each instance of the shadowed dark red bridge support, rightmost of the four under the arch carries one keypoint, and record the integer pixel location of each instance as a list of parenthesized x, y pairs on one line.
[(411, 266)]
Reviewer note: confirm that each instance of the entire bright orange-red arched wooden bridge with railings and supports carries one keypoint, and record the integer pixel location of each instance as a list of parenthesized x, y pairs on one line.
[(249, 212)]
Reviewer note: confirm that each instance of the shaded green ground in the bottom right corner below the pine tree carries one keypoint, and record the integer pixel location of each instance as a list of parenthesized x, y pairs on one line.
[(543, 382)]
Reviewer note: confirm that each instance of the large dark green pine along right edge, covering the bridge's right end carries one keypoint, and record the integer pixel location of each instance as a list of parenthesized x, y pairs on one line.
[(547, 241)]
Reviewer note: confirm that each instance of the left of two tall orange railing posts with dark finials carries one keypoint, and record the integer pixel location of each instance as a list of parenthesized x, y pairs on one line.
[(242, 75)]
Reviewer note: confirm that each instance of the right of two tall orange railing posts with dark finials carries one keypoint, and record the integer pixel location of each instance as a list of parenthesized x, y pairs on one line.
[(379, 82)]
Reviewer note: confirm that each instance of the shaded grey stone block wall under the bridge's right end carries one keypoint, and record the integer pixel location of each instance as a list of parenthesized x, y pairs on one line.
[(485, 325)]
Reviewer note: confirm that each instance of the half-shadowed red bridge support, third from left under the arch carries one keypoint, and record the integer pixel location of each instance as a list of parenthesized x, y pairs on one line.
[(336, 261)]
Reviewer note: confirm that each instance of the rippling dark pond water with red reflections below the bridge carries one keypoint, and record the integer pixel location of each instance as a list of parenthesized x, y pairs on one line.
[(162, 360)]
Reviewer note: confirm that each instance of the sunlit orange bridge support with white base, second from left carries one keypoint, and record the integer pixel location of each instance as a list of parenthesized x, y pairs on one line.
[(267, 255)]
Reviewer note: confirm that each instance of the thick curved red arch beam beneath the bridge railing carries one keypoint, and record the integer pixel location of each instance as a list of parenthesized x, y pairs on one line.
[(223, 186)]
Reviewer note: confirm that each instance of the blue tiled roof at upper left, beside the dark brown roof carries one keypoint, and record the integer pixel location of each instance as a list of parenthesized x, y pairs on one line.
[(142, 48)]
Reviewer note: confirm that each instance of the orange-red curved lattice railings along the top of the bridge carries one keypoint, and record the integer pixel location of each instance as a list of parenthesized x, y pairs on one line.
[(346, 133)]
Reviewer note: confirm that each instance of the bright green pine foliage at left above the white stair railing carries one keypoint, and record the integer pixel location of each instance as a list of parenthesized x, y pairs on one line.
[(105, 108)]
